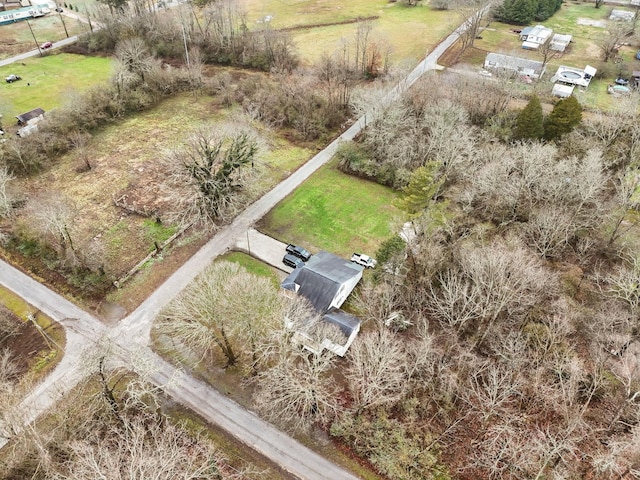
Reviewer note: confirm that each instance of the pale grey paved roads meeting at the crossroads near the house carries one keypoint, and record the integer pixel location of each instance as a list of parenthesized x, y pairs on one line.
[(130, 338)]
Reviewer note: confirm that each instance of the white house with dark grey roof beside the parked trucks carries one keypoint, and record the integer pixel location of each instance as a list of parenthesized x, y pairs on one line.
[(326, 281)]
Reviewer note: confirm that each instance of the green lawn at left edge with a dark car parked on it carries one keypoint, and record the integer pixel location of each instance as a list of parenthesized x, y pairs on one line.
[(48, 81)]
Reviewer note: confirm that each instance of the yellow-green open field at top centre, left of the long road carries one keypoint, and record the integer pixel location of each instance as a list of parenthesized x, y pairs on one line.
[(317, 30)]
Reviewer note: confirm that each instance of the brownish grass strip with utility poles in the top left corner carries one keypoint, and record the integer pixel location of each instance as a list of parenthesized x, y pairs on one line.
[(17, 38)]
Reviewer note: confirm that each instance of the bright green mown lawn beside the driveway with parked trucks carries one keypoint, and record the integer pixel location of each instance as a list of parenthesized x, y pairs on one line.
[(336, 212)]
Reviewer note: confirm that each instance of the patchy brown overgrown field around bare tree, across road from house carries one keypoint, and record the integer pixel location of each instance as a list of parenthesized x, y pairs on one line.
[(132, 165)]
